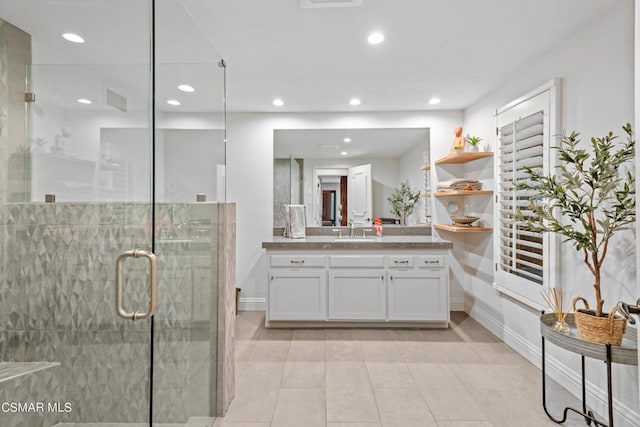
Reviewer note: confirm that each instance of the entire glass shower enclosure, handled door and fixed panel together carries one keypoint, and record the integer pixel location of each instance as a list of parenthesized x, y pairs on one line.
[(93, 163)]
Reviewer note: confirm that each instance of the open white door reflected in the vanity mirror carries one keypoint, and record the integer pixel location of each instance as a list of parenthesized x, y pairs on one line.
[(359, 195)]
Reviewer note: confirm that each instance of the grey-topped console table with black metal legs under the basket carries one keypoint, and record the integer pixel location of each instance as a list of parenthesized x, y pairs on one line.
[(626, 354)]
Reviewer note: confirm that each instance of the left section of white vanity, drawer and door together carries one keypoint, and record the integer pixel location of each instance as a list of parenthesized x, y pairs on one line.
[(297, 287)]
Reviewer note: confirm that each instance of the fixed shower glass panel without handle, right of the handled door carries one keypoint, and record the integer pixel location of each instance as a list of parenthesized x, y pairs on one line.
[(190, 186)]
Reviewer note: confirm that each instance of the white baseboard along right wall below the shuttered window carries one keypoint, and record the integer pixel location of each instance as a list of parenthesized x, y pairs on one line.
[(569, 377)]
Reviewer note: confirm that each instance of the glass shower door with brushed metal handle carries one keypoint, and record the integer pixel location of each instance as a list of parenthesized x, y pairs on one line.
[(75, 194)]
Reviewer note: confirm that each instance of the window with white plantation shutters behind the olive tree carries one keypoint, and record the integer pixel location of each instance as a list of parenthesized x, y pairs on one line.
[(525, 262)]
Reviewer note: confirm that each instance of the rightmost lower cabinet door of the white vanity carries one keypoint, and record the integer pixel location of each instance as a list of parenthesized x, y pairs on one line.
[(418, 295)]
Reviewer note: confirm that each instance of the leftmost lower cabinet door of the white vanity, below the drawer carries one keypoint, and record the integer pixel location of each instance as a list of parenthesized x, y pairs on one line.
[(297, 294)]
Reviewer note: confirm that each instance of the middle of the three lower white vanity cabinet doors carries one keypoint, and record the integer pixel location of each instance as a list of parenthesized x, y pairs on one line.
[(357, 294)]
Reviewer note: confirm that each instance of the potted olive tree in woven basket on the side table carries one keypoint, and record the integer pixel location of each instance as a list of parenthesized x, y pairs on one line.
[(589, 200)]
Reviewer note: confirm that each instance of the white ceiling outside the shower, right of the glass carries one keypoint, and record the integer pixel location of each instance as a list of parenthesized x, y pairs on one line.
[(317, 59)]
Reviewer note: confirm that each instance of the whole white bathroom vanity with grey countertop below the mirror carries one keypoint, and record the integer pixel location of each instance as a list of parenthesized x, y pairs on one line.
[(324, 280)]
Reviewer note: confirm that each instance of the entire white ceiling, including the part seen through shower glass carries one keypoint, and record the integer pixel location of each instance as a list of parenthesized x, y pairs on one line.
[(315, 59)]
